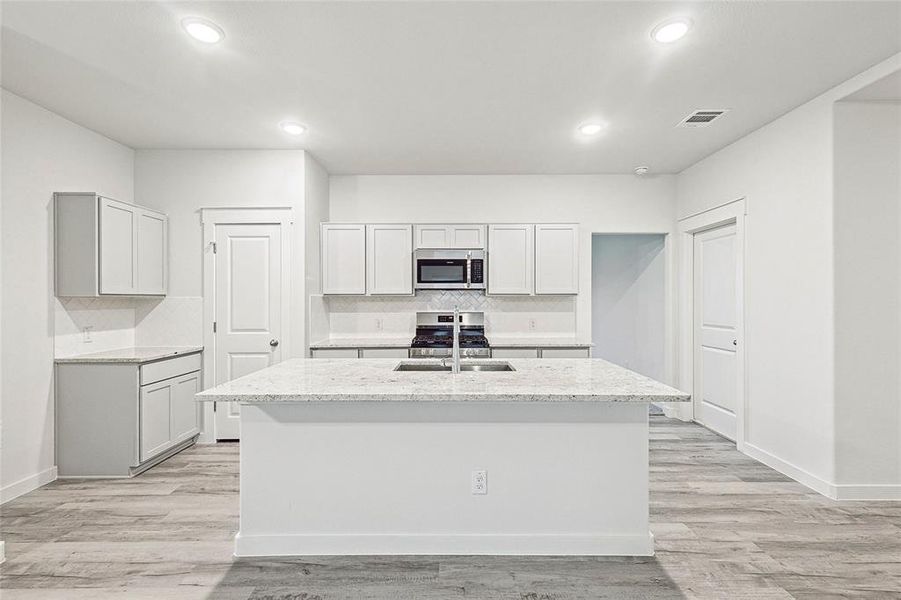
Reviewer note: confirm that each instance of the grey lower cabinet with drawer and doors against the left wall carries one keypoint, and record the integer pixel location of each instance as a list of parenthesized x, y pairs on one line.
[(119, 419)]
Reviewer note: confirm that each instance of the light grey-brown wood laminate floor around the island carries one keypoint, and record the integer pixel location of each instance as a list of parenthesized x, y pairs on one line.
[(726, 527)]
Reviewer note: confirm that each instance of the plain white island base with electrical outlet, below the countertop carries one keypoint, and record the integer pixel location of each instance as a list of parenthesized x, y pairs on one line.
[(345, 478)]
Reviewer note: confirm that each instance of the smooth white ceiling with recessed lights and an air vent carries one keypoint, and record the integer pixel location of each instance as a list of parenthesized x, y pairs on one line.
[(438, 87)]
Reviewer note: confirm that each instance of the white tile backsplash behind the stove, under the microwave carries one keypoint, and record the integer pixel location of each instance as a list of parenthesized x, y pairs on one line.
[(373, 316)]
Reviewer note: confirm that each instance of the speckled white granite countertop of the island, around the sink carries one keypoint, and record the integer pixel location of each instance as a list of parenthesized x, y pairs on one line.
[(374, 380)]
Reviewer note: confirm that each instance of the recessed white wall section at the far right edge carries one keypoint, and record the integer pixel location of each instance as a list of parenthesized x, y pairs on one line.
[(868, 292)]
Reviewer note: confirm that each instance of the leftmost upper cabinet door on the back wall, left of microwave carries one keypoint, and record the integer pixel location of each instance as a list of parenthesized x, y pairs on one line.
[(343, 255)]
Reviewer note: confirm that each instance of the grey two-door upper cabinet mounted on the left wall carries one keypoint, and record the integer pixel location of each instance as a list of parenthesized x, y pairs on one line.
[(107, 247)]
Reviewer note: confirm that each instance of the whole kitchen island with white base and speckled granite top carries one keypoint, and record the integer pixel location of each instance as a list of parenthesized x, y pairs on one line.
[(351, 456)]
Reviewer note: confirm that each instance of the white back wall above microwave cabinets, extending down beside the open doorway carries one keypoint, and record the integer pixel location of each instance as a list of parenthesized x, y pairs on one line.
[(599, 203)]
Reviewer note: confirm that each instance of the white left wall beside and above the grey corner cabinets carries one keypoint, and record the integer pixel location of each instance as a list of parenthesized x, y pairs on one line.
[(42, 153)]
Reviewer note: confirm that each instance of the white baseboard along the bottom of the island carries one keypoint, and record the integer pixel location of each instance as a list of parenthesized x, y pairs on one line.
[(444, 544)]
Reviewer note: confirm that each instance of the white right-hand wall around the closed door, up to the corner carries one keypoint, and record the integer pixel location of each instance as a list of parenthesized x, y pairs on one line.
[(785, 172)]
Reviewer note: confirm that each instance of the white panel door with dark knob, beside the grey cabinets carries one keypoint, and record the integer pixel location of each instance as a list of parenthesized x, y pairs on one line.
[(248, 309)]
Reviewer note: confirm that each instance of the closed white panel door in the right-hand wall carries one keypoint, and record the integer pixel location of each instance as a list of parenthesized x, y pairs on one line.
[(716, 306)]
